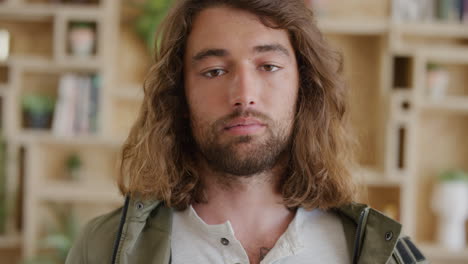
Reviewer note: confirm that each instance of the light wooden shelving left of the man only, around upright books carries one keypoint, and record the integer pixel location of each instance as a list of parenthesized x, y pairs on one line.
[(40, 56)]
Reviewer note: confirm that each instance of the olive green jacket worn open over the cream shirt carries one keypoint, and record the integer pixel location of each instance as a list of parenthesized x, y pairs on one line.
[(140, 233)]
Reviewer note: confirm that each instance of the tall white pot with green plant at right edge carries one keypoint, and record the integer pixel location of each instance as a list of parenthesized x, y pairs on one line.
[(450, 203)]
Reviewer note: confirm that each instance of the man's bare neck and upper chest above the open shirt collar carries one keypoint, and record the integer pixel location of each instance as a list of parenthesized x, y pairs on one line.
[(252, 204)]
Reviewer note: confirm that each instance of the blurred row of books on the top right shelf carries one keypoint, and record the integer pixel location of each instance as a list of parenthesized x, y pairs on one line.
[(448, 11)]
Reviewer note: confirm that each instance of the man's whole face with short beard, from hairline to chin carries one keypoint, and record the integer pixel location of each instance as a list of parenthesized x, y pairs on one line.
[(241, 83)]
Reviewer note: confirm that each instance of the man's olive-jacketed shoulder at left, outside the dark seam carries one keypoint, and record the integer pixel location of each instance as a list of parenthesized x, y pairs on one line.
[(95, 242)]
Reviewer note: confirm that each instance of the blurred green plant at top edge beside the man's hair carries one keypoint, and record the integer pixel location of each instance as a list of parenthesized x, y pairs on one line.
[(152, 12)]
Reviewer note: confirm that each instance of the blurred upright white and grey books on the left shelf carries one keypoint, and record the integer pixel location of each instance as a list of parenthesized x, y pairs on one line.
[(77, 107)]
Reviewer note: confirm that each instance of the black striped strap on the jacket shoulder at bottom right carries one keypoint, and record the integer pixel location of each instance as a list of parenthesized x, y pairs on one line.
[(406, 252)]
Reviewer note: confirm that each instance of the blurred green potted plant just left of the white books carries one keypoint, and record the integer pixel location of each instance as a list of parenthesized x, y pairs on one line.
[(37, 111)]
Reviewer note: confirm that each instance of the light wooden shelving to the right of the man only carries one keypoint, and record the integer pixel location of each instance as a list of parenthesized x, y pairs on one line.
[(408, 137)]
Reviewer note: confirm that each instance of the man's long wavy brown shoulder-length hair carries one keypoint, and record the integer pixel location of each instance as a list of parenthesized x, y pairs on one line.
[(158, 156)]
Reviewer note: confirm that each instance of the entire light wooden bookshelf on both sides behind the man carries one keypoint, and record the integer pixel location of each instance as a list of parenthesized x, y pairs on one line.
[(386, 62)]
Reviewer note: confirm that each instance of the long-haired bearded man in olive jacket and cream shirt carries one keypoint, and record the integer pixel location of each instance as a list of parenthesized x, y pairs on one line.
[(241, 153)]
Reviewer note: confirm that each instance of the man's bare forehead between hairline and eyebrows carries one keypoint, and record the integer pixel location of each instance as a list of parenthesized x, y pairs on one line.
[(229, 28)]
